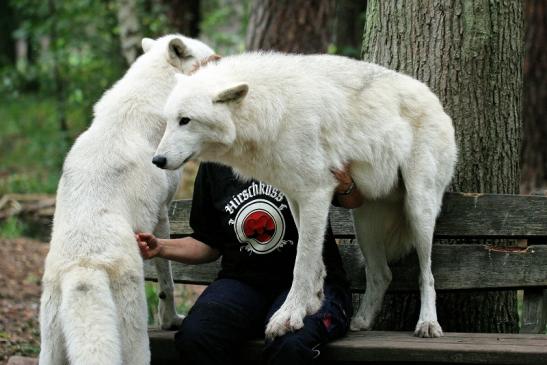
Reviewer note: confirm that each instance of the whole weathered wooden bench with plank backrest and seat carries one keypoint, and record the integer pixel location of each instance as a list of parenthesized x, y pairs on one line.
[(455, 267)]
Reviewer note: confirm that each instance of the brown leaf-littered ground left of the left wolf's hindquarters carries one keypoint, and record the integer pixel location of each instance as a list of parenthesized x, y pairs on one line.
[(21, 267)]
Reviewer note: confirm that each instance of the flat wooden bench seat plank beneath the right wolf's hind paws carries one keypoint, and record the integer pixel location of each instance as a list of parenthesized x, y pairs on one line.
[(382, 346)]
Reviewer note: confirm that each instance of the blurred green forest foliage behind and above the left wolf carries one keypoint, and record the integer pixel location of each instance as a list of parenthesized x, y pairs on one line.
[(74, 55)]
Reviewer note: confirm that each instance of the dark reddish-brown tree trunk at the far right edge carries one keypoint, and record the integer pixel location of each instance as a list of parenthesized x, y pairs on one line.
[(534, 147)]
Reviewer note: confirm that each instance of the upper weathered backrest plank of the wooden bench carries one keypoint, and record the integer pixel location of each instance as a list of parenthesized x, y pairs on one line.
[(463, 215)]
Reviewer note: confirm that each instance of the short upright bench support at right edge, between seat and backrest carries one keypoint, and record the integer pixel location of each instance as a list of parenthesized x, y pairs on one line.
[(534, 311)]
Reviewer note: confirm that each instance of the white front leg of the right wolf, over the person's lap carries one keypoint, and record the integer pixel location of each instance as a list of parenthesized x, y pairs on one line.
[(306, 293)]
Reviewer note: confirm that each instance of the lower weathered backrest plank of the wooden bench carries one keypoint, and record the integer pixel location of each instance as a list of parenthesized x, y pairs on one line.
[(454, 267)]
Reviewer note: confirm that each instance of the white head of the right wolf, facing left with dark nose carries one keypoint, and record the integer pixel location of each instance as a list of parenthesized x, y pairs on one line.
[(200, 122)]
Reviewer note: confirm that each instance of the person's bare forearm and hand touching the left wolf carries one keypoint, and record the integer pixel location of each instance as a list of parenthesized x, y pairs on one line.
[(187, 250)]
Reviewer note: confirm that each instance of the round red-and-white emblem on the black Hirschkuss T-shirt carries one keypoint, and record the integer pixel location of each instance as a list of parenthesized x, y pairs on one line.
[(260, 225)]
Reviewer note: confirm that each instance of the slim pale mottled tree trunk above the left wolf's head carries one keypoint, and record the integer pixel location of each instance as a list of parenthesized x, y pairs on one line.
[(128, 22)]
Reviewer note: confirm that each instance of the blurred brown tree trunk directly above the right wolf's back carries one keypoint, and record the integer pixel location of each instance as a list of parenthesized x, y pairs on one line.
[(297, 26)]
